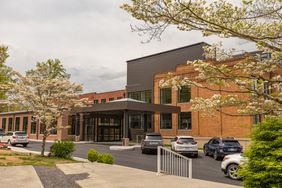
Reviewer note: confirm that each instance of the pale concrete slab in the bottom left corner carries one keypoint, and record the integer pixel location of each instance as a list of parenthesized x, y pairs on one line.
[(19, 176)]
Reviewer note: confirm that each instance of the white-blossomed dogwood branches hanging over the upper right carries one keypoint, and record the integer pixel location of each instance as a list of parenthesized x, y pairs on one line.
[(258, 21)]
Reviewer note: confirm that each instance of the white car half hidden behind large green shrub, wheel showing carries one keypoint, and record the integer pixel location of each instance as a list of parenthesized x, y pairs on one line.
[(230, 165)]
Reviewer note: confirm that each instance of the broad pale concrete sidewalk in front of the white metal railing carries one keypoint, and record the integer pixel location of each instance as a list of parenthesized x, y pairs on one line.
[(115, 176)]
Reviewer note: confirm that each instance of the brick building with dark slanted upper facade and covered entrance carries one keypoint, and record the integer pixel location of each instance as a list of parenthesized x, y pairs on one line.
[(142, 107)]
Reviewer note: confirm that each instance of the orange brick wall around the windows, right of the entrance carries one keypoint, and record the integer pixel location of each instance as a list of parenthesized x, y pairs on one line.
[(202, 126)]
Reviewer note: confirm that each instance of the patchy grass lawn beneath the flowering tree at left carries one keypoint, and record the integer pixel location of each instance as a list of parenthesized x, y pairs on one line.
[(11, 158)]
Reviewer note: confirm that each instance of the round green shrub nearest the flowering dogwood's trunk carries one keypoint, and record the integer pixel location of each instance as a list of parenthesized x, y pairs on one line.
[(62, 149)]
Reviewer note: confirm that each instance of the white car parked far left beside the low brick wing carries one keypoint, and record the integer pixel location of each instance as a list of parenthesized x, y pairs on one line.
[(14, 138)]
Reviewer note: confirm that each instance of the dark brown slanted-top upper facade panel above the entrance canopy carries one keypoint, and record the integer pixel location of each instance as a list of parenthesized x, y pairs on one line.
[(141, 71)]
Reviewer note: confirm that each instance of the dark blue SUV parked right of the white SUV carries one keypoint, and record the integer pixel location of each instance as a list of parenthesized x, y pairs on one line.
[(219, 147)]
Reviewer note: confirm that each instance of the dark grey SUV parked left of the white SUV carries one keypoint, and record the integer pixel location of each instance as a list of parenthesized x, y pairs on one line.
[(151, 142)]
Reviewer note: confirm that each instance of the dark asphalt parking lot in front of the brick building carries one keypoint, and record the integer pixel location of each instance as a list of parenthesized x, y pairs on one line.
[(205, 168)]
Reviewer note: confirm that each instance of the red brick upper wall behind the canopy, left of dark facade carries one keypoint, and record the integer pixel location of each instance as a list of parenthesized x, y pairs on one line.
[(105, 95)]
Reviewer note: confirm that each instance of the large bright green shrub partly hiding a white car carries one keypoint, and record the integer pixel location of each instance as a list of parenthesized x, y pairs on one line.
[(263, 167)]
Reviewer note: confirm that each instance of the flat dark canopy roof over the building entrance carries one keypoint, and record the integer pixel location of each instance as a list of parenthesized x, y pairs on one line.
[(128, 104)]
